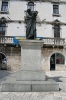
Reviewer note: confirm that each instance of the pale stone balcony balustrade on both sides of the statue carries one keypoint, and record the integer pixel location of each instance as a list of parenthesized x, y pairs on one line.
[(47, 41)]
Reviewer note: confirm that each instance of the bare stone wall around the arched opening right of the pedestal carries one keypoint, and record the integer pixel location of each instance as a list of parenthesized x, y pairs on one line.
[(46, 54)]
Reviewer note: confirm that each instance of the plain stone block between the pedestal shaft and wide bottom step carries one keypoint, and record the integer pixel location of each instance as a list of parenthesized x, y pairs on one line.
[(30, 76)]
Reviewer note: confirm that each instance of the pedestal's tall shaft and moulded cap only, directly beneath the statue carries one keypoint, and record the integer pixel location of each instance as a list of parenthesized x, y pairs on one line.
[(31, 55)]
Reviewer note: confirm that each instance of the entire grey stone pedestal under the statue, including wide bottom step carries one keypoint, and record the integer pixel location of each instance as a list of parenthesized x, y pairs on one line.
[(30, 77)]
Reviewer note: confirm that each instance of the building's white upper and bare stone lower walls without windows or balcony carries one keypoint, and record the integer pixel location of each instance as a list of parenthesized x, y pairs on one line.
[(16, 28)]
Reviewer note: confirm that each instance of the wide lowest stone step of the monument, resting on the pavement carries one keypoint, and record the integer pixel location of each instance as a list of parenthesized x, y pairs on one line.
[(29, 86)]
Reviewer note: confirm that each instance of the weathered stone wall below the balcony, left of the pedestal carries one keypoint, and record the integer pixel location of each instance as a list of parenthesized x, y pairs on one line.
[(13, 58)]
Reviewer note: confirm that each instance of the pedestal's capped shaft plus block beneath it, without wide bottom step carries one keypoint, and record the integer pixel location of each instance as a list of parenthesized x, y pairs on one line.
[(31, 61)]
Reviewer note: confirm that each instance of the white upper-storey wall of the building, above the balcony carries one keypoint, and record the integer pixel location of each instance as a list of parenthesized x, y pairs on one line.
[(17, 13)]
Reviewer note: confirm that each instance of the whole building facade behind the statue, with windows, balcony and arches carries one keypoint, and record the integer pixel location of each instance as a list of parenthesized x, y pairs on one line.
[(50, 26)]
